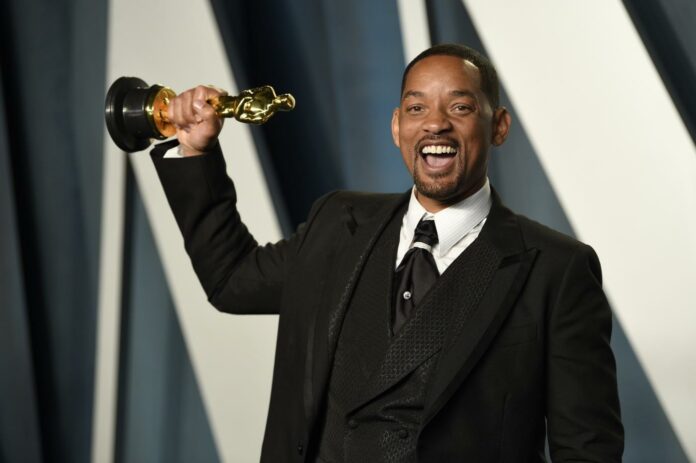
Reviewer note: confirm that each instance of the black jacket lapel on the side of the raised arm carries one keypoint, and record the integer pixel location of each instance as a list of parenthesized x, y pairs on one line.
[(363, 227)]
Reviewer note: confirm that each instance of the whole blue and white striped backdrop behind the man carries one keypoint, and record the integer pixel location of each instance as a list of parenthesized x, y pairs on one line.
[(109, 351)]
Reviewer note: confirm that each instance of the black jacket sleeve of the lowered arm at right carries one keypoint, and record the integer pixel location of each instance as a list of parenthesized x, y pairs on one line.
[(583, 416)]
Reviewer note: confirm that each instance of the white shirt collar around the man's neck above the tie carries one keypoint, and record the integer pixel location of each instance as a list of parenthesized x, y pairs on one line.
[(454, 222)]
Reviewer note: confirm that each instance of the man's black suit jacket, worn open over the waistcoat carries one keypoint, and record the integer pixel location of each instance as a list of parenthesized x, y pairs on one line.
[(531, 356)]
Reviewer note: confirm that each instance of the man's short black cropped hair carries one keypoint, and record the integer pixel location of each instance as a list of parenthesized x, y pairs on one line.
[(489, 76)]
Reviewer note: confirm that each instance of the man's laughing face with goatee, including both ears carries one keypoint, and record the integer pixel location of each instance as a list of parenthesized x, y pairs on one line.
[(444, 128)]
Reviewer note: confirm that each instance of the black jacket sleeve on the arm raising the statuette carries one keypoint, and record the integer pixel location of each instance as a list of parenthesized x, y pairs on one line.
[(237, 274)]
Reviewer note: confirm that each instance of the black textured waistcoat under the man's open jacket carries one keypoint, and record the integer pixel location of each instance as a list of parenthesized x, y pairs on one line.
[(384, 427)]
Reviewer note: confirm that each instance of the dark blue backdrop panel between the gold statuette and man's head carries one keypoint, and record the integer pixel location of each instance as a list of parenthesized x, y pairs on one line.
[(343, 62)]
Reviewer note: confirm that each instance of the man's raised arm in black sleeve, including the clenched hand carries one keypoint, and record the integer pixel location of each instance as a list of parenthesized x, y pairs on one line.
[(238, 275)]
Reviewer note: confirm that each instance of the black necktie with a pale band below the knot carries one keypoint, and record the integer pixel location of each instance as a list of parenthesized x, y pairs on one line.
[(416, 273)]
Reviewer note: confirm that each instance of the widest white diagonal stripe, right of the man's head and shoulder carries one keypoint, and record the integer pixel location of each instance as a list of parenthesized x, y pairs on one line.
[(622, 164)]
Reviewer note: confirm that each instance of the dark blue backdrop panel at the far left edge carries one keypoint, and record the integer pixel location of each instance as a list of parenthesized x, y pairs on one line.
[(52, 64)]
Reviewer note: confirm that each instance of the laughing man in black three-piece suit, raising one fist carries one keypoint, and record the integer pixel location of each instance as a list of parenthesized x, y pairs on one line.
[(429, 326)]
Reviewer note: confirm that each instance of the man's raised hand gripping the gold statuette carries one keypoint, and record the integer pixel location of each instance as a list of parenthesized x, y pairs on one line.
[(197, 124)]
